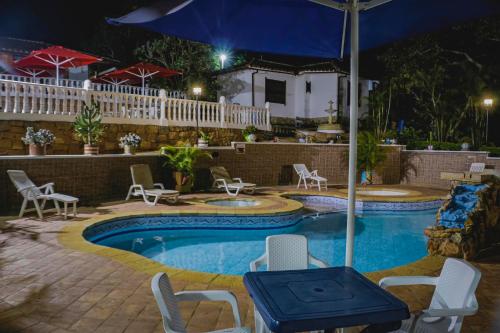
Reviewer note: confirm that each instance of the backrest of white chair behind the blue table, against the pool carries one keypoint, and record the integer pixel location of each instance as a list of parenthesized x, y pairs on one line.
[(286, 252)]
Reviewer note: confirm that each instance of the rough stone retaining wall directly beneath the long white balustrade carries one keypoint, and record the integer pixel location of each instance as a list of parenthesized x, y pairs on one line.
[(11, 132)]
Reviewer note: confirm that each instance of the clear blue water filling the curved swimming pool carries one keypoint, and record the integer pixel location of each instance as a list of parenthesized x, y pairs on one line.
[(383, 240)]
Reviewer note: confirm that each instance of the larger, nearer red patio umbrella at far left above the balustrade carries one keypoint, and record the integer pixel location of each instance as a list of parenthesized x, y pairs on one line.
[(56, 57)]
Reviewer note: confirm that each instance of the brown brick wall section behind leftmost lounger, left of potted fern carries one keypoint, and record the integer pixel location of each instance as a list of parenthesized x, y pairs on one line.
[(92, 179)]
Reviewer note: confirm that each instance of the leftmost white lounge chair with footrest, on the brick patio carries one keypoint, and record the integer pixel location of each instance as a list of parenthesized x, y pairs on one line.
[(31, 192)]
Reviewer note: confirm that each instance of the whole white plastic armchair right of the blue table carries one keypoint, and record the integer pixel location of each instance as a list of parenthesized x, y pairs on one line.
[(453, 297)]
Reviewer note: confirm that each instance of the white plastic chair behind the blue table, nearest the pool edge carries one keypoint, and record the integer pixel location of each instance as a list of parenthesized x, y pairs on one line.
[(283, 252)]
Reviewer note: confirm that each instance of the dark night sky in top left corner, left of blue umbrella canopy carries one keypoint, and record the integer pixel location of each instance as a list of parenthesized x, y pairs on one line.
[(57, 21)]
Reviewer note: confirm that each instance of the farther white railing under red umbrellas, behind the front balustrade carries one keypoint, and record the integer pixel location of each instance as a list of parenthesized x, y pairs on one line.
[(124, 89)]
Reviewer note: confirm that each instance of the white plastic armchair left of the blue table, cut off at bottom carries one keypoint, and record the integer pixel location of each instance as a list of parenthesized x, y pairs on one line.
[(168, 303)]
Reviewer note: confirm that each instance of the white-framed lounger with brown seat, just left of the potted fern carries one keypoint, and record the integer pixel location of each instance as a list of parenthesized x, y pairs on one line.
[(144, 187)]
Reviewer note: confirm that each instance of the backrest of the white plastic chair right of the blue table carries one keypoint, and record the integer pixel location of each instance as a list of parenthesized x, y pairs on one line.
[(456, 286)]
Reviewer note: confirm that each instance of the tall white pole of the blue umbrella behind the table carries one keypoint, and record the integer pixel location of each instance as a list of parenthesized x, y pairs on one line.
[(353, 131)]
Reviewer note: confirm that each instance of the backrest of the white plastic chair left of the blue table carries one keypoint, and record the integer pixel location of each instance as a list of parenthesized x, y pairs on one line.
[(167, 303)]
